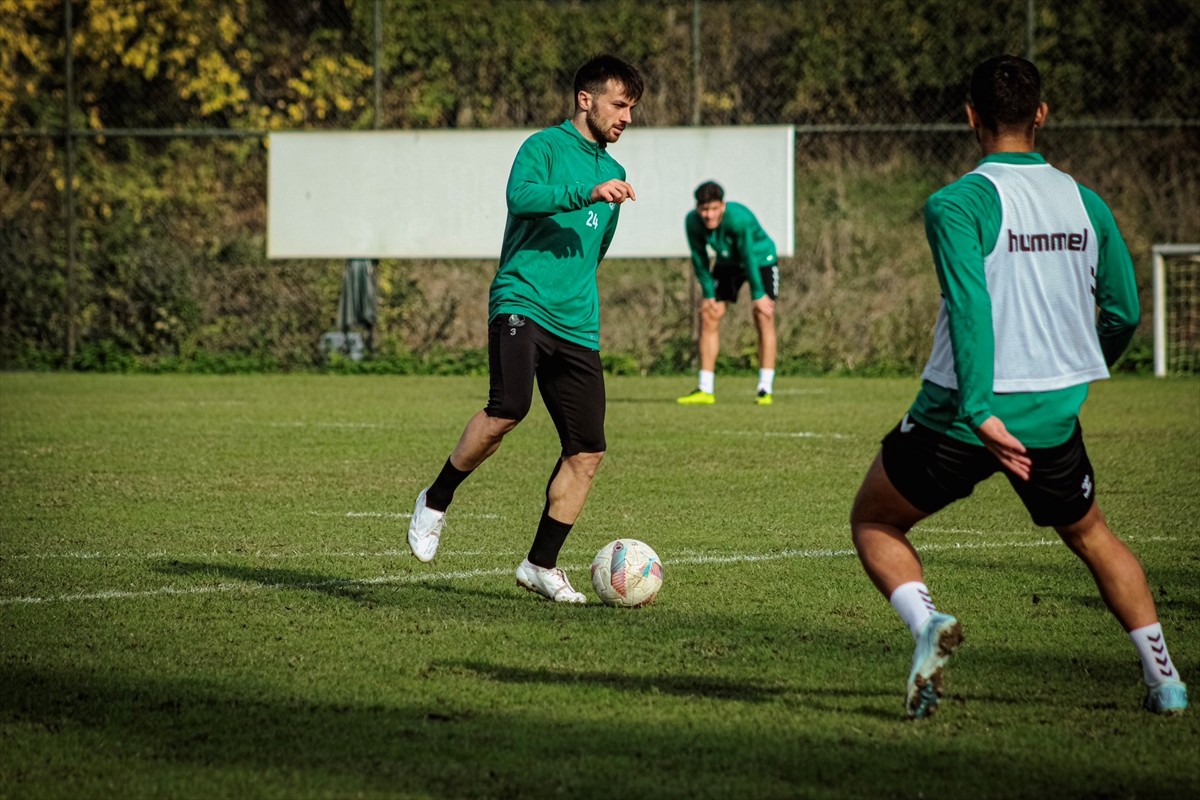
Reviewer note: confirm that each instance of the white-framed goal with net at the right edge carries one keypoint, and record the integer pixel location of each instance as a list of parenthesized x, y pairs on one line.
[(1177, 310)]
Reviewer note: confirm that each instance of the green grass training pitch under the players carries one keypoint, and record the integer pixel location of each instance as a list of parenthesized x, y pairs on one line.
[(206, 592)]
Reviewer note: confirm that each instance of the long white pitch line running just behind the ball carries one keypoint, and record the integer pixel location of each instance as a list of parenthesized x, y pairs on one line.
[(429, 578)]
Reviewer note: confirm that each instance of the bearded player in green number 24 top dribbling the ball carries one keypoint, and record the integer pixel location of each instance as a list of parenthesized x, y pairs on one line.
[(565, 197)]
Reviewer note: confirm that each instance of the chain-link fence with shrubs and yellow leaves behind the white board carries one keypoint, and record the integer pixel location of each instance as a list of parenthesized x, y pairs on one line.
[(134, 141)]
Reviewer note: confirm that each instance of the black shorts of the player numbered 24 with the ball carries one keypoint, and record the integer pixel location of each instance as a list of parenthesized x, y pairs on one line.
[(569, 378)]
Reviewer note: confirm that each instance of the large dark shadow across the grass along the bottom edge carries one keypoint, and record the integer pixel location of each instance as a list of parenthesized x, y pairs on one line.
[(75, 732)]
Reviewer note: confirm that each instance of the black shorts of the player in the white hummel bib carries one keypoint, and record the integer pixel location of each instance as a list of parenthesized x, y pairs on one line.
[(933, 471)]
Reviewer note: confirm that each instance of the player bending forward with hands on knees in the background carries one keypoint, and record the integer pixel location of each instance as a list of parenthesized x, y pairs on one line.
[(745, 255)]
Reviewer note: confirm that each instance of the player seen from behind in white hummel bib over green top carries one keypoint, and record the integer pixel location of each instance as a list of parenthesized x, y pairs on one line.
[(1024, 256)]
